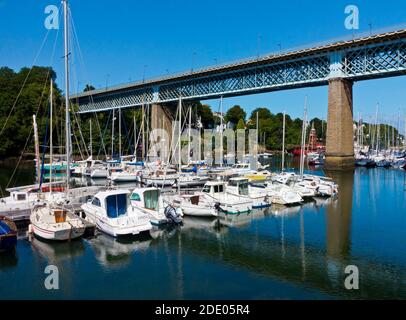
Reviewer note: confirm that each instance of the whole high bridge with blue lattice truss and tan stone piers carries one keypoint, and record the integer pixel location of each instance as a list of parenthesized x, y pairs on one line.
[(337, 65)]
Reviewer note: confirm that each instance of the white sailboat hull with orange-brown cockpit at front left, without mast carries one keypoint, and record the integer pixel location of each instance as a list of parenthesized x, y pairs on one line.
[(53, 221)]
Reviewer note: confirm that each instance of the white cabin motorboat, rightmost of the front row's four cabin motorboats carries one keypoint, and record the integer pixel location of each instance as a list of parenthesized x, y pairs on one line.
[(241, 187)]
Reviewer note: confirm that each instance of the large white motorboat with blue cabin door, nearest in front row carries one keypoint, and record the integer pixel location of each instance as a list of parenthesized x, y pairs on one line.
[(113, 213)]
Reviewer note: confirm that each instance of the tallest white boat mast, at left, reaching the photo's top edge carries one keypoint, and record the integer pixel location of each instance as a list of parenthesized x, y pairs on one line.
[(67, 120)]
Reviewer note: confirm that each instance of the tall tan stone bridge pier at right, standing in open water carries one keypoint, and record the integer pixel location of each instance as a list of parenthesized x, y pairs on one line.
[(340, 142)]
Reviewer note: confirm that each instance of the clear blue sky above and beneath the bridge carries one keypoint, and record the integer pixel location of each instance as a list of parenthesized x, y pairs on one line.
[(127, 40)]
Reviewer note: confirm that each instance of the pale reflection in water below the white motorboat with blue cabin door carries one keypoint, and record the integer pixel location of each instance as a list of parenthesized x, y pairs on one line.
[(116, 253)]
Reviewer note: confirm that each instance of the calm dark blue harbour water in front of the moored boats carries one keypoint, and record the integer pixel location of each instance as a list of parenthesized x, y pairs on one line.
[(278, 253)]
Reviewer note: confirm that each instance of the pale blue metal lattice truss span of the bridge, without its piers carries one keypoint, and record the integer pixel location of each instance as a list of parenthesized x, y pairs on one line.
[(377, 56)]
